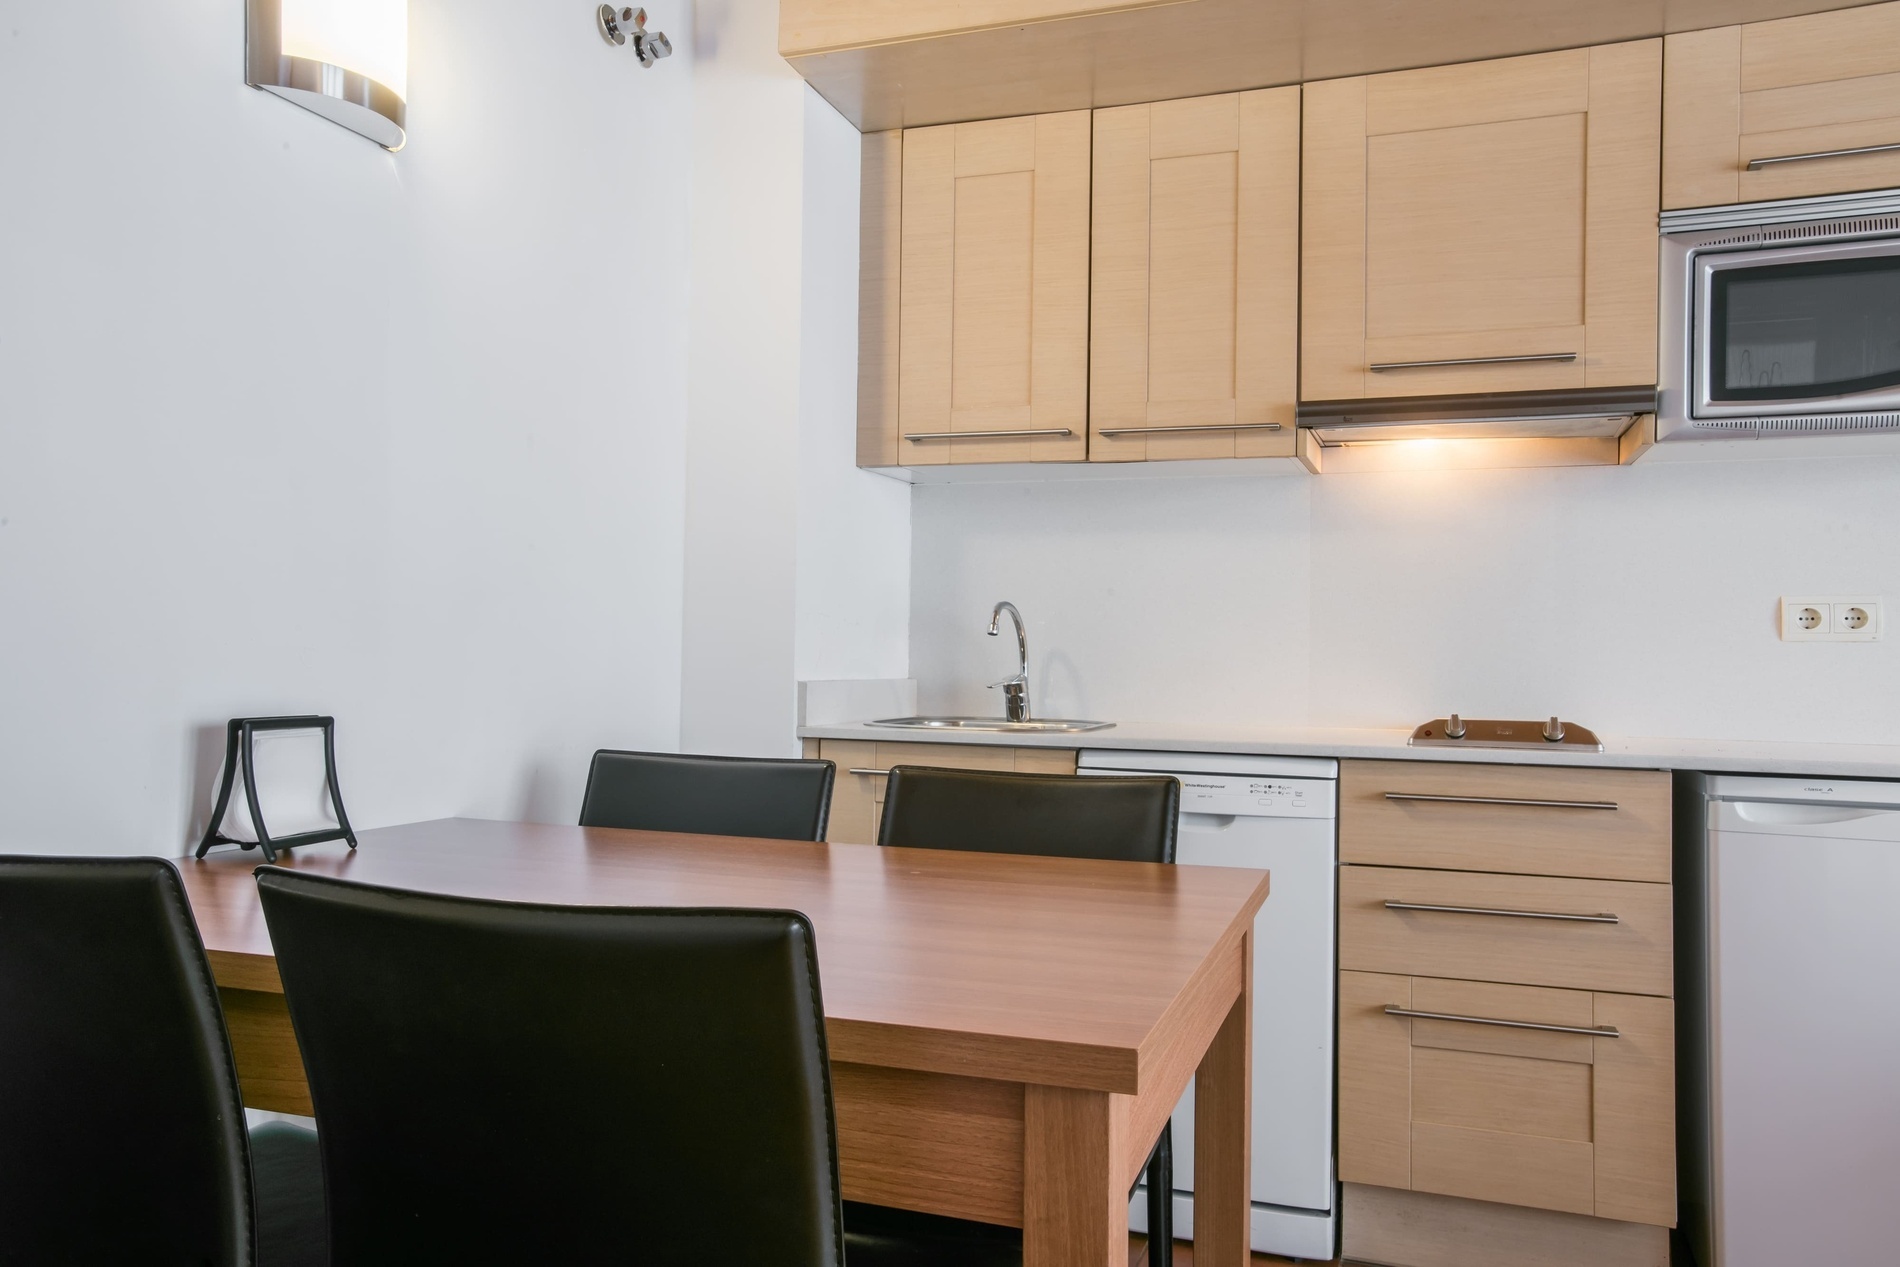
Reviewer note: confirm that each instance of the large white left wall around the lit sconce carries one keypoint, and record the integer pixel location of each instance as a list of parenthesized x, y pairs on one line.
[(295, 425)]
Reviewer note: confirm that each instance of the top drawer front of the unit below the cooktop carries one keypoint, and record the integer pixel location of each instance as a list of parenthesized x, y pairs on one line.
[(1527, 820)]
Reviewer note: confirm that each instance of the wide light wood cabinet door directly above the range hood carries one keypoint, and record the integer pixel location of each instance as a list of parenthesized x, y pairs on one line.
[(1487, 214)]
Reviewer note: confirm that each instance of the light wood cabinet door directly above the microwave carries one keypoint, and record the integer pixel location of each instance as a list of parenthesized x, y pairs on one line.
[(1787, 96)]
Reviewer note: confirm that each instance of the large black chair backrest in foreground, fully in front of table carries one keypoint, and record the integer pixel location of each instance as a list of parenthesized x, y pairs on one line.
[(503, 1082)]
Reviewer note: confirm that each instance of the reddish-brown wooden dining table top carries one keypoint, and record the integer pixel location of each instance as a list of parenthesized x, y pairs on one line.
[(1059, 972)]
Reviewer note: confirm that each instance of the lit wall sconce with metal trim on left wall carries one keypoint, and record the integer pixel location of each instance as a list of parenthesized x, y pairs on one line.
[(345, 60)]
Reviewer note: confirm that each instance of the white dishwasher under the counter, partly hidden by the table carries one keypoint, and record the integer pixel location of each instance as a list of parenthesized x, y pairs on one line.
[(1276, 814)]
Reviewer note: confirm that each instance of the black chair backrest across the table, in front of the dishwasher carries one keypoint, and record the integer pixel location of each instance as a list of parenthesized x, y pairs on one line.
[(1059, 816)]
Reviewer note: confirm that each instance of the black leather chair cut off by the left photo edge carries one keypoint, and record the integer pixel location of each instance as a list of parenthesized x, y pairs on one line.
[(123, 1139)]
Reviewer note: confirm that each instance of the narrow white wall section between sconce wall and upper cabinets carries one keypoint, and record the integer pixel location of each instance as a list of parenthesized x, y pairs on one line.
[(797, 563)]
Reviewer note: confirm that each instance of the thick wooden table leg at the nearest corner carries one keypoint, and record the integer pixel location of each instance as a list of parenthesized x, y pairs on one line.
[(1074, 1200)]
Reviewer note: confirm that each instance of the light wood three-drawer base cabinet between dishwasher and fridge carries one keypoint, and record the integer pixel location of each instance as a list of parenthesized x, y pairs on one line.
[(1506, 1008)]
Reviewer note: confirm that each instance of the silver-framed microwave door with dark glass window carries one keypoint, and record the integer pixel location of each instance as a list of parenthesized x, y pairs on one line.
[(1800, 330)]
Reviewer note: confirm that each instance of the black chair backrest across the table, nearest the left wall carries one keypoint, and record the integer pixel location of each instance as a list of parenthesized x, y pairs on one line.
[(710, 795)]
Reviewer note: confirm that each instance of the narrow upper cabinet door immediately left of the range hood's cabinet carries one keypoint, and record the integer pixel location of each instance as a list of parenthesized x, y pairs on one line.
[(1196, 278)]
